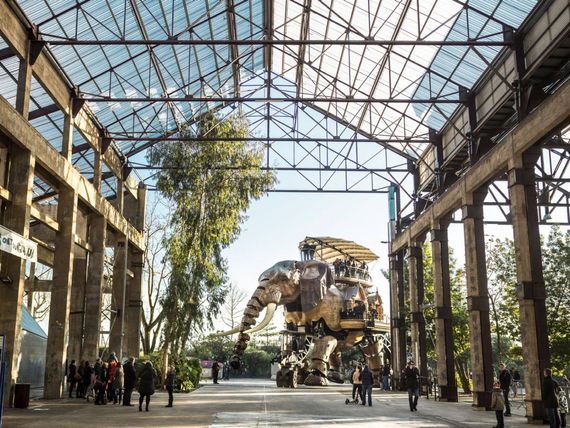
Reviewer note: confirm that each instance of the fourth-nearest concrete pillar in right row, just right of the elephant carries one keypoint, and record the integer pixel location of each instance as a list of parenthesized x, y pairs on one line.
[(417, 295)]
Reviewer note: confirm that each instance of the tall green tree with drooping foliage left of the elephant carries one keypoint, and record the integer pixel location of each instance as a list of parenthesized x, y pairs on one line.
[(210, 184)]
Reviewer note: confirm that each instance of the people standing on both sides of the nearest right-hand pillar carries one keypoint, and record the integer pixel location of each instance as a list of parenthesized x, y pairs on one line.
[(554, 397)]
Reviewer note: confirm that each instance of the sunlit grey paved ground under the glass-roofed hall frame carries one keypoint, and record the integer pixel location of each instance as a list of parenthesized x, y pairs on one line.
[(257, 403)]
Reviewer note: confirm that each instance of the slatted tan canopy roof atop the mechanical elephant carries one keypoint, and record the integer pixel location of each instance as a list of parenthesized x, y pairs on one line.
[(328, 249)]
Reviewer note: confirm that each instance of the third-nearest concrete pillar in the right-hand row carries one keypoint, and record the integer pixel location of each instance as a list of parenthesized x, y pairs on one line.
[(443, 323)]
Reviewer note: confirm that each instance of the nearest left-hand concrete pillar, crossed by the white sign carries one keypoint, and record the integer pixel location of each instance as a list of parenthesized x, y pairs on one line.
[(16, 218)]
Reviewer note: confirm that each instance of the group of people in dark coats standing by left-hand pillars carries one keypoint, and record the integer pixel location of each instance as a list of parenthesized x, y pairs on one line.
[(112, 382)]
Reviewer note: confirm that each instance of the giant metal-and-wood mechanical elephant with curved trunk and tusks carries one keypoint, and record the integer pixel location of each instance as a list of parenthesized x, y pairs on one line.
[(311, 299)]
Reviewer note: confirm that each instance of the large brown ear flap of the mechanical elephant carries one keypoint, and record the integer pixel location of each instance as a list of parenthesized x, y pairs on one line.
[(316, 277)]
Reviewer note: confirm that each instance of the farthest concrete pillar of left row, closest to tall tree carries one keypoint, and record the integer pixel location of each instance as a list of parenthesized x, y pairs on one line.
[(134, 305)]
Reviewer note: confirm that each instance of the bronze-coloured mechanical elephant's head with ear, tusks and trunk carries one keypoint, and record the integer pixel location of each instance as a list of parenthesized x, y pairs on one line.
[(284, 283)]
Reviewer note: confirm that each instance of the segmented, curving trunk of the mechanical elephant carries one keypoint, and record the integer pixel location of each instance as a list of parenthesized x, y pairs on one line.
[(260, 299)]
